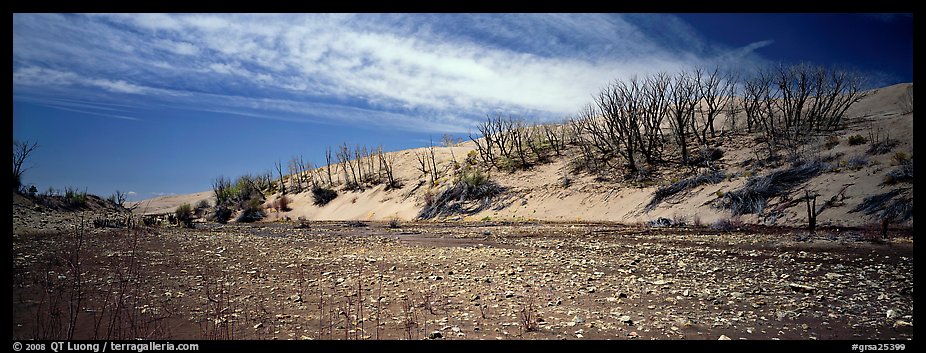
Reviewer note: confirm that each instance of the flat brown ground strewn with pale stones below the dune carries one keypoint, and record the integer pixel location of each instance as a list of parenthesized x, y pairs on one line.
[(350, 280)]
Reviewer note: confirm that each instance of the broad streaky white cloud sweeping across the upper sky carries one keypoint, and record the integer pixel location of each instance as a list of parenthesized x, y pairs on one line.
[(417, 72)]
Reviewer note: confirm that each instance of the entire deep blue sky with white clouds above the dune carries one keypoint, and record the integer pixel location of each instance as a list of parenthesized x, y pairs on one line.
[(163, 103)]
